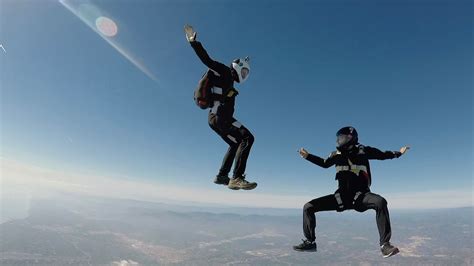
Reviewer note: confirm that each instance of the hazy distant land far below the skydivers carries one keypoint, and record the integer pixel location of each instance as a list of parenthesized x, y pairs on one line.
[(74, 230)]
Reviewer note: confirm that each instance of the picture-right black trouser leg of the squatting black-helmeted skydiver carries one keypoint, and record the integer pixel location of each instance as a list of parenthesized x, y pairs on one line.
[(379, 204)]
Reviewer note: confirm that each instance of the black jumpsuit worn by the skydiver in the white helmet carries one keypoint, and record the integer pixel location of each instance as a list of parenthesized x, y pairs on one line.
[(221, 118)]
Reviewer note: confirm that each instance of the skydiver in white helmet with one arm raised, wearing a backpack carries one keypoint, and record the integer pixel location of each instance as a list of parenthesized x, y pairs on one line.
[(219, 80)]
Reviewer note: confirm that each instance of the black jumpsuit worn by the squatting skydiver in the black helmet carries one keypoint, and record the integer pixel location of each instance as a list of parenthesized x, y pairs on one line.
[(354, 178)]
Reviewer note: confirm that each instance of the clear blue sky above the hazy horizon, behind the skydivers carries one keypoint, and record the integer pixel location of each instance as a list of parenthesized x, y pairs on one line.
[(400, 72)]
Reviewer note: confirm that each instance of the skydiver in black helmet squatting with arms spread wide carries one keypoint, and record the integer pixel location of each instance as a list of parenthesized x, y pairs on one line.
[(354, 178)]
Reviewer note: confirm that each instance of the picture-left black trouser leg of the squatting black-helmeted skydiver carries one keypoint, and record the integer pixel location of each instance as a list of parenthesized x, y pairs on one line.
[(326, 203)]
